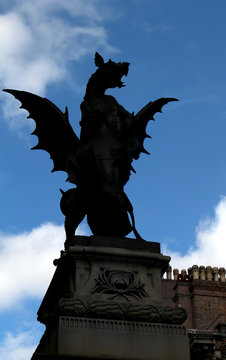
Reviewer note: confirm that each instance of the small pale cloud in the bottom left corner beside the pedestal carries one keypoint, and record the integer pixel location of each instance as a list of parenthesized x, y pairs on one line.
[(20, 346)]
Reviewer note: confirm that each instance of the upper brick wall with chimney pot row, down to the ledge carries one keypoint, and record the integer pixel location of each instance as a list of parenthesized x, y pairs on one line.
[(201, 290)]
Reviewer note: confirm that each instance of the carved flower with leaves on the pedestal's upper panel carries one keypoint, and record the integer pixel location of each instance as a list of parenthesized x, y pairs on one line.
[(119, 283)]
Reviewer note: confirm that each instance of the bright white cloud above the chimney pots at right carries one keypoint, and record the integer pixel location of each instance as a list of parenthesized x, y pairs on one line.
[(210, 245)]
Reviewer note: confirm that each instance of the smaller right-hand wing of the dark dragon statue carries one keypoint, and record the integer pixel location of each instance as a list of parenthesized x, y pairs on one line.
[(144, 115)]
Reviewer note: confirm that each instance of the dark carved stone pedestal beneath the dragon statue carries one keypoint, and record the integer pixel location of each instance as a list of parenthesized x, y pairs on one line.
[(104, 302)]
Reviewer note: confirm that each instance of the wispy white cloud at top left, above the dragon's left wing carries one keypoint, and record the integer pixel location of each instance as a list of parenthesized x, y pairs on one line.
[(40, 40)]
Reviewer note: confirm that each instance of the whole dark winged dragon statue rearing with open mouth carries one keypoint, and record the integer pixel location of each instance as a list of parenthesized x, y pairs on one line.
[(99, 163)]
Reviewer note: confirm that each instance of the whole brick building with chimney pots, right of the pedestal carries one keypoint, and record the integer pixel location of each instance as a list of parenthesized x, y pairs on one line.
[(202, 292)]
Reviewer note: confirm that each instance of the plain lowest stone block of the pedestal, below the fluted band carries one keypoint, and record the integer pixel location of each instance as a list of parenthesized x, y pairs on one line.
[(111, 339)]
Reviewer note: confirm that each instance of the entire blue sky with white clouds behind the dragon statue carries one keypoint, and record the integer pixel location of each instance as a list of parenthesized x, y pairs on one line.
[(176, 49)]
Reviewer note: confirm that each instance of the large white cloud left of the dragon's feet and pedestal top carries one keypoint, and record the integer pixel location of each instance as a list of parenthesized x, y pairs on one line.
[(26, 263)]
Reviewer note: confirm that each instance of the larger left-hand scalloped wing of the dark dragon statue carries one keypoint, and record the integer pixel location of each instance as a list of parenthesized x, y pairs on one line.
[(54, 132)]
